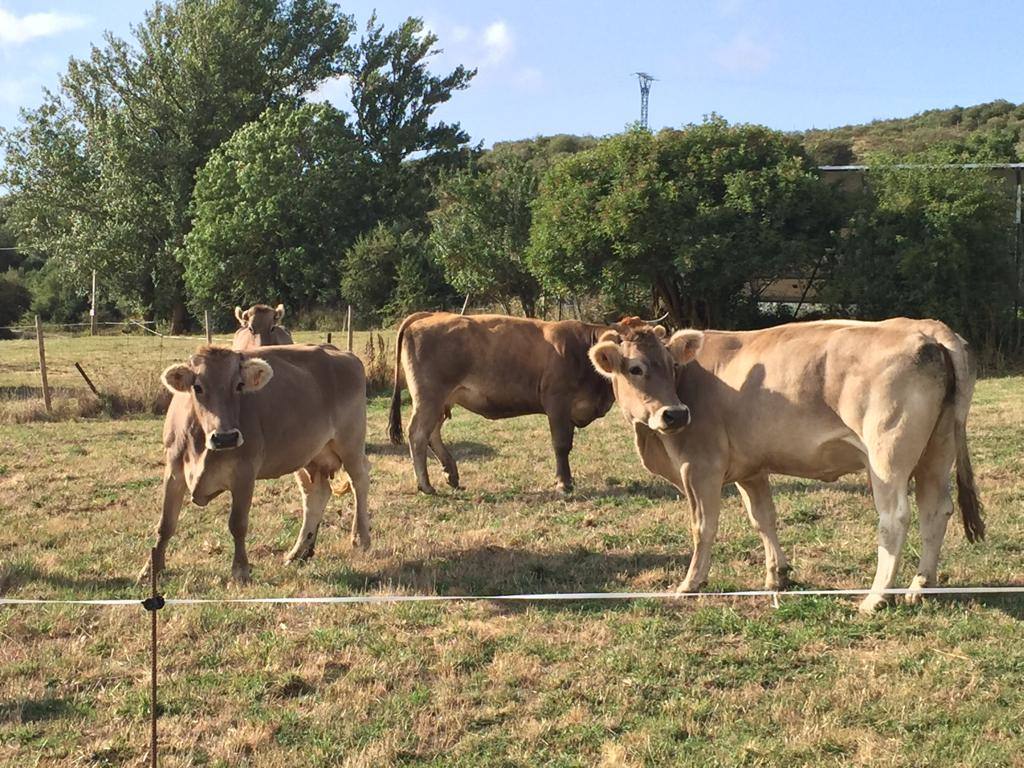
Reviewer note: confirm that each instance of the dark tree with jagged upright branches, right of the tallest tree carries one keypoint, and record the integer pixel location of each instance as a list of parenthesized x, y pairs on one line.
[(395, 97)]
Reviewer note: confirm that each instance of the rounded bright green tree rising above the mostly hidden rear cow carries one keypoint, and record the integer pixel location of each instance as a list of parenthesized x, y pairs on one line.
[(275, 209)]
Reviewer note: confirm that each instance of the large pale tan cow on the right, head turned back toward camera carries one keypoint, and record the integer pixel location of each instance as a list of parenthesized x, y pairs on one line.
[(809, 400)]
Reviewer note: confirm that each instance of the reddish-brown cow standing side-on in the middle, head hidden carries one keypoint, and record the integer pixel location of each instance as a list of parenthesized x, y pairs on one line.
[(498, 367)]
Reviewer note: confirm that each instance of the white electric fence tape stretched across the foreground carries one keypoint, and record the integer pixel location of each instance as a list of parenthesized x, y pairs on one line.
[(549, 598)]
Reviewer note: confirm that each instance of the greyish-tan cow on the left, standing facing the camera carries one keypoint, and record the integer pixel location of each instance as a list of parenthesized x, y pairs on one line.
[(240, 417)]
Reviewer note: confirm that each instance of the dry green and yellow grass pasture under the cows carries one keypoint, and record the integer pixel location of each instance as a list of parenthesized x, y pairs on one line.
[(696, 682)]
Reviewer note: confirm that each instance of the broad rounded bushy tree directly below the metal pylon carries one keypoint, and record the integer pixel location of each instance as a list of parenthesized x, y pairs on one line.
[(698, 218)]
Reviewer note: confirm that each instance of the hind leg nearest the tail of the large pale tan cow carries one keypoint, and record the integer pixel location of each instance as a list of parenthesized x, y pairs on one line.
[(935, 506)]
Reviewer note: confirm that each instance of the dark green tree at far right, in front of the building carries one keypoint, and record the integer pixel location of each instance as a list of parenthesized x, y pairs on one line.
[(927, 240)]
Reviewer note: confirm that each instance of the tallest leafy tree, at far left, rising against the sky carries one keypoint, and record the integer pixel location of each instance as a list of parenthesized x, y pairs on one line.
[(105, 169)]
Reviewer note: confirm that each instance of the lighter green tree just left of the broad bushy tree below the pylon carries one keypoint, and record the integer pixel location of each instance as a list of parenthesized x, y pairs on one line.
[(481, 230)]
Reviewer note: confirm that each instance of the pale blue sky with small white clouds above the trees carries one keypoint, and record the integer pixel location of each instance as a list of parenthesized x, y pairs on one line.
[(566, 67)]
